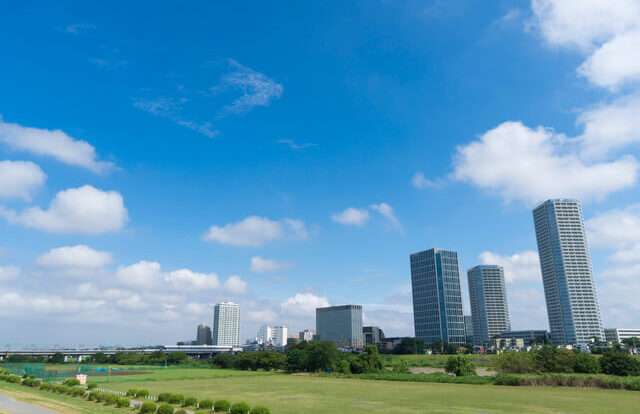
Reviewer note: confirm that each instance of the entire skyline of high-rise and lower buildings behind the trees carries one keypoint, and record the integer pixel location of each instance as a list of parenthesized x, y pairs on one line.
[(567, 276)]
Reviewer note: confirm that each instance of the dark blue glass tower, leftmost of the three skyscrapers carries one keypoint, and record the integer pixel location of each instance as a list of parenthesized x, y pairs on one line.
[(437, 297)]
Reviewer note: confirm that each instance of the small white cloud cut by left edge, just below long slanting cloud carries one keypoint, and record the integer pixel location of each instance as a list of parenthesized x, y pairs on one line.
[(19, 179)]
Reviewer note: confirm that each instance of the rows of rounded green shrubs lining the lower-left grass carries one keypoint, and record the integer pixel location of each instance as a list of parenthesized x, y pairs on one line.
[(148, 407)]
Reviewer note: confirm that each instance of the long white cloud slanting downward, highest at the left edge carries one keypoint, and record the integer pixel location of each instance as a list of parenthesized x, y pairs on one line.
[(52, 143)]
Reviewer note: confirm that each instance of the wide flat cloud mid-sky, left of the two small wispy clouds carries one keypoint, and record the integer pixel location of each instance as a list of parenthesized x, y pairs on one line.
[(256, 231)]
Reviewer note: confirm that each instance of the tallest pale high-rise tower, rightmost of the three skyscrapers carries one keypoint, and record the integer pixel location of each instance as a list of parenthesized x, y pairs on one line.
[(569, 287)]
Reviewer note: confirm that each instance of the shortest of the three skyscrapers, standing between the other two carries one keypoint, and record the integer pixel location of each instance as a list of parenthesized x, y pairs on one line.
[(488, 297)]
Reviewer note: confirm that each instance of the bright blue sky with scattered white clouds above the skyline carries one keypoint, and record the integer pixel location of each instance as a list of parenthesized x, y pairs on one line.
[(159, 157)]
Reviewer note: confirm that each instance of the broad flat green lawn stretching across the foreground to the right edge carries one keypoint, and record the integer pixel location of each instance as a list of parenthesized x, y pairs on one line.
[(285, 394)]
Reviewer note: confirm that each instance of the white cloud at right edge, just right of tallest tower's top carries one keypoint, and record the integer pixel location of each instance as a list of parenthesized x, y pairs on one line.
[(617, 228)]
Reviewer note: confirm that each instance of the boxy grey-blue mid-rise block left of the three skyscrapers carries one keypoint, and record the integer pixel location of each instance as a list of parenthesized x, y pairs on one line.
[(340, 324)]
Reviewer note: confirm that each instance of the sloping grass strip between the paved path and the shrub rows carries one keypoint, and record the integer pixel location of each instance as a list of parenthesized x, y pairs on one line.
[(63, 404)]
